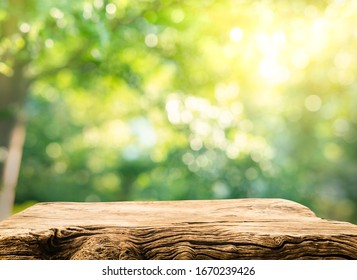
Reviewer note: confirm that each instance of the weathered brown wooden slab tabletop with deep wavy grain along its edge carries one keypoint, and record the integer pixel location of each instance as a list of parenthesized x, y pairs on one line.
[(215, 229)]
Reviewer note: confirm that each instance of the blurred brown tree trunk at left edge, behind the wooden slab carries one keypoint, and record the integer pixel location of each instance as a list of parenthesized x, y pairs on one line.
[(12, 134)]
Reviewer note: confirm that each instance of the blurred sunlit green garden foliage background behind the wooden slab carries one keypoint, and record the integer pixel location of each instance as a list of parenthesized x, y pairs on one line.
[(113, 100)]
